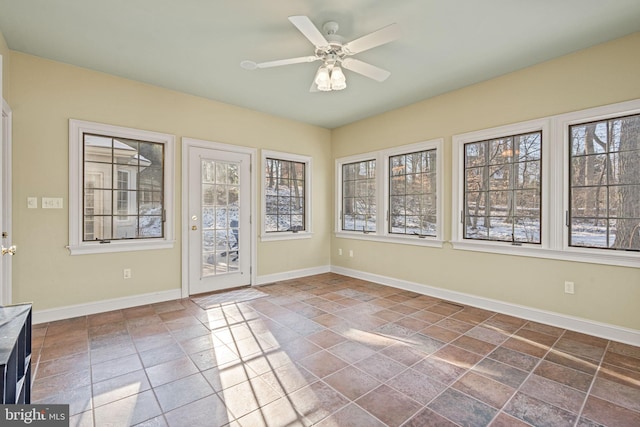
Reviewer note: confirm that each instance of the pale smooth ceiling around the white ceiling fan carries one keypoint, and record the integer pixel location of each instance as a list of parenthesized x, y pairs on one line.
[(196, 46)]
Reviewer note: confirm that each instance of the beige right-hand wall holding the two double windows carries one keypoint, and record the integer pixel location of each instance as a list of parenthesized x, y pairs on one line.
[(604, 74)]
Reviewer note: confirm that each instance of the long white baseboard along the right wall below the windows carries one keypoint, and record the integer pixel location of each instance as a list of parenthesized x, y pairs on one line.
[(590, 327)]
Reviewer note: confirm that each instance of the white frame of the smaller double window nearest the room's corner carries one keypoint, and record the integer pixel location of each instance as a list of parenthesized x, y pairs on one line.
[(382, 233)]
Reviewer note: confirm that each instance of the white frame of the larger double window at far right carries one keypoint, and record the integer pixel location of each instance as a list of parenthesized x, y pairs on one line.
[(555, 189)]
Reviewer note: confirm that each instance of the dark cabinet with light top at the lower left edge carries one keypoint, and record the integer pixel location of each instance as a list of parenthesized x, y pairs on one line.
[(15, 353)]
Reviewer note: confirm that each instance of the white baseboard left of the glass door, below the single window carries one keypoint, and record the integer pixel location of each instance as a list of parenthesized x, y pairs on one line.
[(67, 312)]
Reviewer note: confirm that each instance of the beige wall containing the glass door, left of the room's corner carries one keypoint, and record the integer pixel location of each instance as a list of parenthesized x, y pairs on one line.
[(46, 94)]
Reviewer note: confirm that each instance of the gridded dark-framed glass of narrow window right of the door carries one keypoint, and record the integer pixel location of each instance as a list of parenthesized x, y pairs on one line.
[(284, 195)]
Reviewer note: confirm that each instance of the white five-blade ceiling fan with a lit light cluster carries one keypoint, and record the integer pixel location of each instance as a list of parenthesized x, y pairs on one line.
[(334, 54)]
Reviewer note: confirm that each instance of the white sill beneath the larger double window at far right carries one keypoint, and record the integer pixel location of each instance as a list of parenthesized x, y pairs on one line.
[(591, 256)]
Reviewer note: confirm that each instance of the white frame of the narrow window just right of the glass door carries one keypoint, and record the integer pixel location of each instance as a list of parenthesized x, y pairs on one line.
[(287, 235)]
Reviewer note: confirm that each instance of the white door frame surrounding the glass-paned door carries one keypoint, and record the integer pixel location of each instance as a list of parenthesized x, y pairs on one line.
[(188, 143)]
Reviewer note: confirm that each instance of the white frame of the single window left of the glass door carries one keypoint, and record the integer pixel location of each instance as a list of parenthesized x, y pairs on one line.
[(77, 128)]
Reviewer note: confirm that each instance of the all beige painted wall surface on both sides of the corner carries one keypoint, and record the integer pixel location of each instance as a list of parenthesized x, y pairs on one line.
[(45, 95)]
